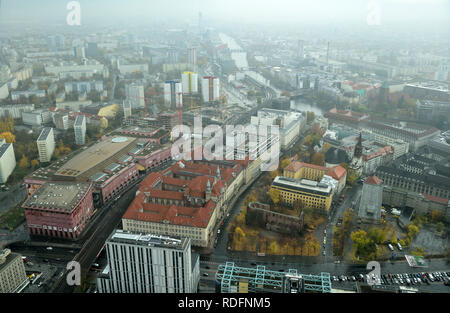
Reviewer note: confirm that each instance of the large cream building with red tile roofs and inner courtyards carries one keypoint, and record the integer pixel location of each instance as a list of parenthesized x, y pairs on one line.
[(185, 200)]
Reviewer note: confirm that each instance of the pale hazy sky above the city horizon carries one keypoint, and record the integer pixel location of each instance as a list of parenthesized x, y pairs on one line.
[(250, 11)]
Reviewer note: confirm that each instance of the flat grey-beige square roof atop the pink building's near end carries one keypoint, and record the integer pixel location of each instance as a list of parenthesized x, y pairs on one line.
[(61, 196)]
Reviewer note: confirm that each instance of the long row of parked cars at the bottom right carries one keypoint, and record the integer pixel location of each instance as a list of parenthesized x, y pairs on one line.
[(399, 279)]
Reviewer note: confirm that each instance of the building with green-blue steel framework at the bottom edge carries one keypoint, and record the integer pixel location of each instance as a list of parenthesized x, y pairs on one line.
[(234, 279)]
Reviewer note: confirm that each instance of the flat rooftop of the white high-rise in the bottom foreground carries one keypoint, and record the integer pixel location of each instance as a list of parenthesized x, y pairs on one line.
[(127, 237)]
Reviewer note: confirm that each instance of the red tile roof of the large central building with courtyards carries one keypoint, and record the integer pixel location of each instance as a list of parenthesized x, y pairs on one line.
[(151, 187)]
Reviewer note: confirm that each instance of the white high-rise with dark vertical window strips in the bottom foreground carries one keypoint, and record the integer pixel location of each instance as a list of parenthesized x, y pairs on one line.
[(144, 263)]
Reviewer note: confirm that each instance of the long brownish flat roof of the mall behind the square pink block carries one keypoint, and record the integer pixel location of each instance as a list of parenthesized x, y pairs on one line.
[(95, 155)]
